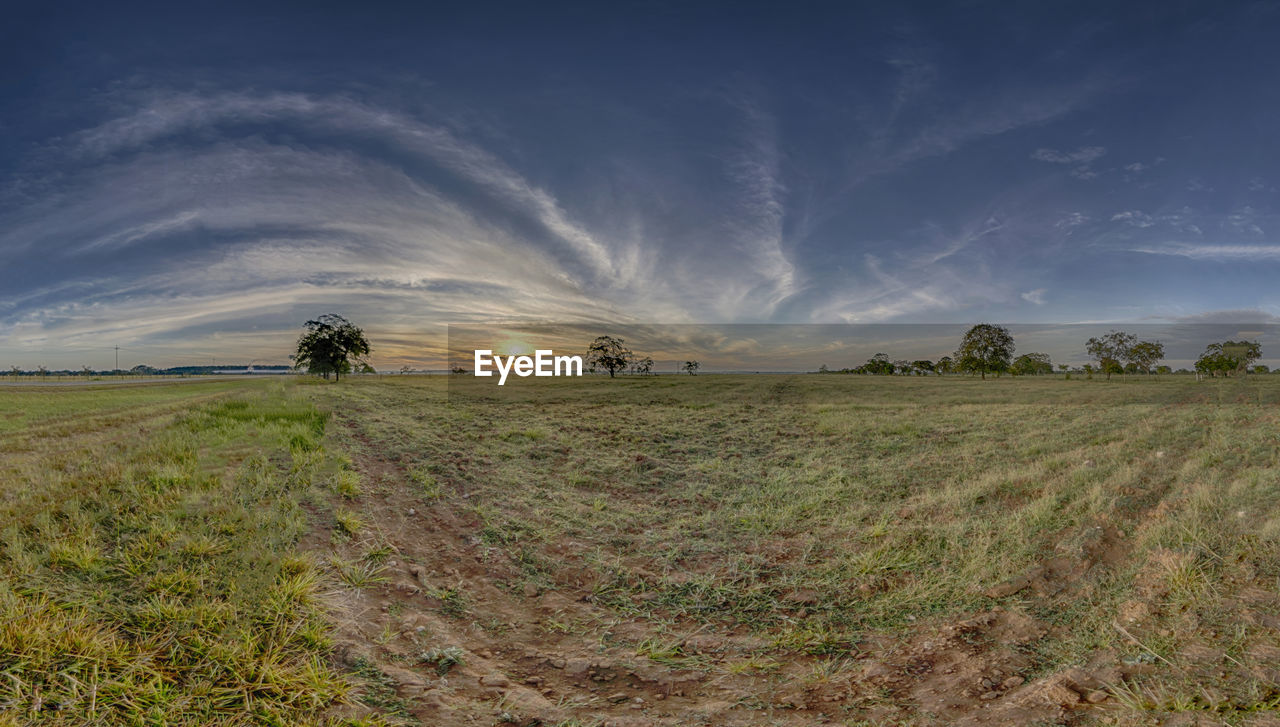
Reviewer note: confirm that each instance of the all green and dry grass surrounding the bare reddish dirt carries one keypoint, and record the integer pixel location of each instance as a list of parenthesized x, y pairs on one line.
[(150, 569)]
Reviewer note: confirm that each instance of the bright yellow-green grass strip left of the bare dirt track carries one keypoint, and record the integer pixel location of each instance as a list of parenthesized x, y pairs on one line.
[(148, 569)]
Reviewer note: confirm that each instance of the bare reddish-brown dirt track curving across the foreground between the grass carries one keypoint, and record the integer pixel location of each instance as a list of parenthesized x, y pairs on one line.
[(551, 656)]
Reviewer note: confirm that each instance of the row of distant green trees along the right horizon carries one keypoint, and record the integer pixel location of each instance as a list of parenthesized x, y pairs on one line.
[(989, 349)]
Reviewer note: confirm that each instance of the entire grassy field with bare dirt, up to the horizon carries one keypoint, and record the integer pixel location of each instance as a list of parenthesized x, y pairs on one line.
[(644, 551)]
